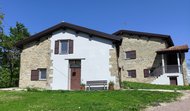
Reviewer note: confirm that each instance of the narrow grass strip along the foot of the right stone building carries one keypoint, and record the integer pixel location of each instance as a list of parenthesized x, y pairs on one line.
[(136, 85)]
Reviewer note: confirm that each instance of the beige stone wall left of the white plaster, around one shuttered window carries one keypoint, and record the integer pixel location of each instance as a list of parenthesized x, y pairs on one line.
[(33, 56)]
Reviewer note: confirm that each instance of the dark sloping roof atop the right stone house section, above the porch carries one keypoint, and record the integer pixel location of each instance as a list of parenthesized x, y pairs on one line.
[(153, 35)]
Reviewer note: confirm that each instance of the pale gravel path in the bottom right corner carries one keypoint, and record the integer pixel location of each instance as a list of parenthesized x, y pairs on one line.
[(183, 104)]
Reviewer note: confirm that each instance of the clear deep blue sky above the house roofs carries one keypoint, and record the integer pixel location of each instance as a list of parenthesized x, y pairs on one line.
[(170, 17)]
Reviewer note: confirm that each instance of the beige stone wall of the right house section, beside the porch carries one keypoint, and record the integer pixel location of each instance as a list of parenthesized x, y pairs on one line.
[(146, 56)]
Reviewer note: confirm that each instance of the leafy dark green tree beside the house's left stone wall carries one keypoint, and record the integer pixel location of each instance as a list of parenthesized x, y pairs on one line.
[(10, 54)]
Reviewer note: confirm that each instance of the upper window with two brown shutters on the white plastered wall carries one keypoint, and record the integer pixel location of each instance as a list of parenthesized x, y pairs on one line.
[(63, 47)]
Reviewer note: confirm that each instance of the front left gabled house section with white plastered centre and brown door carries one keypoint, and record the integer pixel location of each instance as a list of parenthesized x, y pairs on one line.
[(66, 55)]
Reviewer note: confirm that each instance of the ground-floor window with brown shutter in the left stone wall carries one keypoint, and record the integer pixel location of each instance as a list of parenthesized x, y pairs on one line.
[(39, 74)]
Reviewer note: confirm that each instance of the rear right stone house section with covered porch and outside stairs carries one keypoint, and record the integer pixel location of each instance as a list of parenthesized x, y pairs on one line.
[(151, 58)]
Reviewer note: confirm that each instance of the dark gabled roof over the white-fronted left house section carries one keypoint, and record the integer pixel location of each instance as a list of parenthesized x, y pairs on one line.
[(64, 25)]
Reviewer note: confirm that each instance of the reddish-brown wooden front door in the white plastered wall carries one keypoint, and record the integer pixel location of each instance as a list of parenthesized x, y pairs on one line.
[(75, 78)]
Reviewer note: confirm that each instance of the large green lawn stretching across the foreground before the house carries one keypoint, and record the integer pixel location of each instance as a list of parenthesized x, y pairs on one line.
[(82, 100)]
